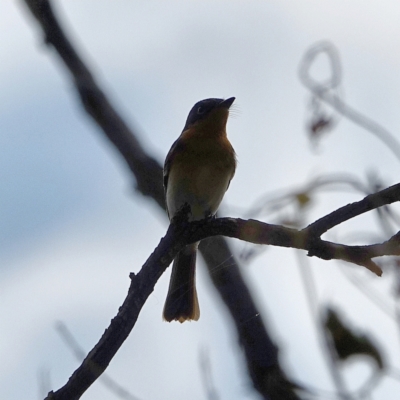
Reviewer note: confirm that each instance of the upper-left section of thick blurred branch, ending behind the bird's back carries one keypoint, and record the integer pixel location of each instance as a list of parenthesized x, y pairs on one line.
[(145, 168)]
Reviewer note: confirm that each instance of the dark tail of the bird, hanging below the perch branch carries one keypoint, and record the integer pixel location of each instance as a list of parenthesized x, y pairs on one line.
[(181, 303)]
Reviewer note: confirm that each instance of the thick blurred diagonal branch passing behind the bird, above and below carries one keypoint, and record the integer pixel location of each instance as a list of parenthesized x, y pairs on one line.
[(261, 353)]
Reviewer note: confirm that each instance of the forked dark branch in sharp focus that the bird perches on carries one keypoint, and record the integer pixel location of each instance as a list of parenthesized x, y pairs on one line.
[(179, 234)]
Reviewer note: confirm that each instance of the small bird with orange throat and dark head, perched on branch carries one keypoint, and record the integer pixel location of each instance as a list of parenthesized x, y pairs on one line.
[(197, 172)]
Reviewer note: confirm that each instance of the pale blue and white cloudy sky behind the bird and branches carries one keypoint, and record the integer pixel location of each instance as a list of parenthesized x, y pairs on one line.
[(73, 227)]
